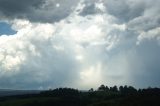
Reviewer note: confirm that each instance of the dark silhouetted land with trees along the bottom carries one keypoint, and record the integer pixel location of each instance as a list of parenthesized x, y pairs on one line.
[(103, 96)]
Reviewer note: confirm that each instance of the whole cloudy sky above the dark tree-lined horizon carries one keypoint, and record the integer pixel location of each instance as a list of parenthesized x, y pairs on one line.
[(79, 43)]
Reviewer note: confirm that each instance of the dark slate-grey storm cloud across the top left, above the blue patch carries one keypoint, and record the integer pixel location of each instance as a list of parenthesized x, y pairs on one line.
[(37, 10)]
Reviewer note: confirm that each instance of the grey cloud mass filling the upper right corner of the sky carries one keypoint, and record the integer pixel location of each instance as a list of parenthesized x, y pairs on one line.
[(138, 15)]
